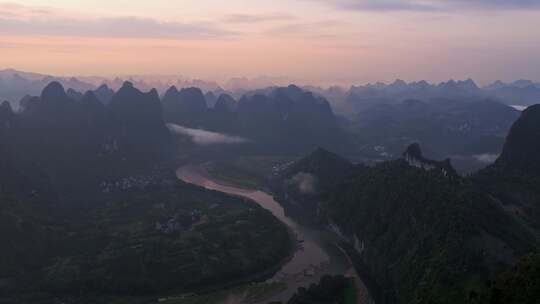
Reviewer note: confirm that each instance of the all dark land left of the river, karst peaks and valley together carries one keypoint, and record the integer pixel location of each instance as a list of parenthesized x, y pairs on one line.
[(91, 211)]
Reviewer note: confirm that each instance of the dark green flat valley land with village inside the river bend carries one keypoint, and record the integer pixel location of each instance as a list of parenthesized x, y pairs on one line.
[(172, 237)]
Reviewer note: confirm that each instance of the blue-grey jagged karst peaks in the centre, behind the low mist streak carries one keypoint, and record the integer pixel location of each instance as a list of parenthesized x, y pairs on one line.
[(276, 120)]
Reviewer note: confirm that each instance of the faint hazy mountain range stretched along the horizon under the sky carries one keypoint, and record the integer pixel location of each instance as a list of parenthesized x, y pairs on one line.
[(15, 84)]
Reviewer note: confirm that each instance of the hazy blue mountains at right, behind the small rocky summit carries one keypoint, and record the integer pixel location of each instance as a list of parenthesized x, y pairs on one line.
[(445, 127)]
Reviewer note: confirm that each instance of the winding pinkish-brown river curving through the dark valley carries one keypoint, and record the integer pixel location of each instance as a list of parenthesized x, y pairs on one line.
[(316, 255)]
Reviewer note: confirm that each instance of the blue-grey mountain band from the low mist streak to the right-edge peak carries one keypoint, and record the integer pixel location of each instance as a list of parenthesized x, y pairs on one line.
[(287, 119)]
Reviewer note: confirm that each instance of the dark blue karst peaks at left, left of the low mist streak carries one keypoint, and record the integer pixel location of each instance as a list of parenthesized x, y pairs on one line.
[(63, 136)]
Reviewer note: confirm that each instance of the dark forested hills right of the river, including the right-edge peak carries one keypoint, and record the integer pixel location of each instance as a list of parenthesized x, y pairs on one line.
[(423, 234)]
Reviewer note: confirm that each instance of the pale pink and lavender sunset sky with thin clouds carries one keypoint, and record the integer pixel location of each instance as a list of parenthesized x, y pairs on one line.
[(311, 41)]
